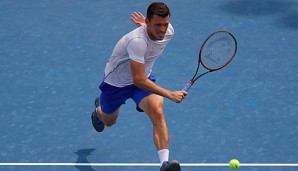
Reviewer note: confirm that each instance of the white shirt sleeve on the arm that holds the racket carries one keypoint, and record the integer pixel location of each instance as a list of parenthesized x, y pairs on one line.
[(136, 49)]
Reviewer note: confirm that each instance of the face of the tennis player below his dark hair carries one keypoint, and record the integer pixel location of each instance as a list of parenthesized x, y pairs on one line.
[(157, 27)]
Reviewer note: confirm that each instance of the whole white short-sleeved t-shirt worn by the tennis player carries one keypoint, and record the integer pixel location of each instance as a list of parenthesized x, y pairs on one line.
[(136, 46)]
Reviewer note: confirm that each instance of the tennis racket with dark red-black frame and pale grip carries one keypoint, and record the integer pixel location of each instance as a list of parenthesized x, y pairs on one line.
[(217, 51)]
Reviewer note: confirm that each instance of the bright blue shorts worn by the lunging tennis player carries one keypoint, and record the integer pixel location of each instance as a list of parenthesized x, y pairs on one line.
[(113, 97)]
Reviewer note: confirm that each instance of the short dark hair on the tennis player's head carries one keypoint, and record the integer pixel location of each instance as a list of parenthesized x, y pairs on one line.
[(158, 8)]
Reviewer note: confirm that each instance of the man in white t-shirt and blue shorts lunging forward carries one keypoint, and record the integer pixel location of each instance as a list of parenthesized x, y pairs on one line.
[(128, 75)]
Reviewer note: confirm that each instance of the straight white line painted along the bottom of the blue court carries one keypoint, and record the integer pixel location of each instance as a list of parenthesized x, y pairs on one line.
[(152, 164)]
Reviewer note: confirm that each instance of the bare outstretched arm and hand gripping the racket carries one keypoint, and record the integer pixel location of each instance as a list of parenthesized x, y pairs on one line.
[(138, 71)]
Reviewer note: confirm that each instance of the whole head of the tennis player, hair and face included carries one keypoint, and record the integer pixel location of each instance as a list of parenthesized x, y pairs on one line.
[(157, 21)]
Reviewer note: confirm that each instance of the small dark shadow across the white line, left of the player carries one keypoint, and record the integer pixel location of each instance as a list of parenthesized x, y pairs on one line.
[(82, 158)]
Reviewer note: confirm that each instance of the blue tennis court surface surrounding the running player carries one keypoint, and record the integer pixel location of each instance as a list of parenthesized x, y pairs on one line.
[(52, 59)]
